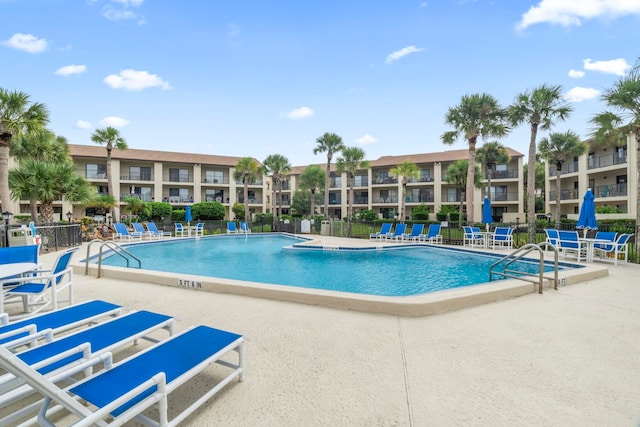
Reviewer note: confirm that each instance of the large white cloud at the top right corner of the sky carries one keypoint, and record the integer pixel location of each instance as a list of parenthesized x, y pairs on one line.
[(571, 12)]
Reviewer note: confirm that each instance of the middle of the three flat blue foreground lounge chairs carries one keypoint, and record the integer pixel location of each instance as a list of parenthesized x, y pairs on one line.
[(65, 353)]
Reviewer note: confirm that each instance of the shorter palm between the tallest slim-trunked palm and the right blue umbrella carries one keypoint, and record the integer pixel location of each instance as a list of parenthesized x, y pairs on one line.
[(556, 149)]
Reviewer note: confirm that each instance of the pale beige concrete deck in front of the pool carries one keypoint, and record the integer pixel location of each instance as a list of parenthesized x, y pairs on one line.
[(564, 358)]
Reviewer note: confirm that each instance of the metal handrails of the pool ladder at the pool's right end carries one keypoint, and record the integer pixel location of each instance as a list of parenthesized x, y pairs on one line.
[(517, 255)]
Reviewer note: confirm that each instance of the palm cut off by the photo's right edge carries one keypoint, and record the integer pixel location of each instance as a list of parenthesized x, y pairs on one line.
[(613, 127)]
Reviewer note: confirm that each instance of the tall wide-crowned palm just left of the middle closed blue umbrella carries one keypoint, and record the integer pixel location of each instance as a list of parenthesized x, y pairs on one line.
[(477, 115)]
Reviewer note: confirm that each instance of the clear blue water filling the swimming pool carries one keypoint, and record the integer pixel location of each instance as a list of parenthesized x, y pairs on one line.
[(264, 259)]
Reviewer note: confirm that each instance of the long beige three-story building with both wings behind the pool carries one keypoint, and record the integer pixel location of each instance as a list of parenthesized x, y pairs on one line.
[(184, 178)]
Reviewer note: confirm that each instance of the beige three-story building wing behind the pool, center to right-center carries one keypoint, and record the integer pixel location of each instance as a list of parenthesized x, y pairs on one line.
[(377, 189)]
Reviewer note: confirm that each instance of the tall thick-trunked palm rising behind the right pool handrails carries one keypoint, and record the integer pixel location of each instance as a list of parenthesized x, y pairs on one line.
[(540, 107)]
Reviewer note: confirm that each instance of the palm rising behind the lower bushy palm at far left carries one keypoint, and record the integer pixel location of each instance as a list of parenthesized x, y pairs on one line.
[(45, 147)]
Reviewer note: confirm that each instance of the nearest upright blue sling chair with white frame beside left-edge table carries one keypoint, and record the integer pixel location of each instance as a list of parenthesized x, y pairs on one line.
[(33, 288)]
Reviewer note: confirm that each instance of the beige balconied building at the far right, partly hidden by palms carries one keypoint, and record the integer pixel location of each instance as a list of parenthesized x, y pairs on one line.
[(609, 171)]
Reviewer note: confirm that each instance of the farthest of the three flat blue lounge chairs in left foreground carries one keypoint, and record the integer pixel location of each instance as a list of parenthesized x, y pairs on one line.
[(61, 320)]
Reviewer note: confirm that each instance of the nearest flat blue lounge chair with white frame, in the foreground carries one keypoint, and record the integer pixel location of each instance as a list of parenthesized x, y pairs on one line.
[(142, 381)]
